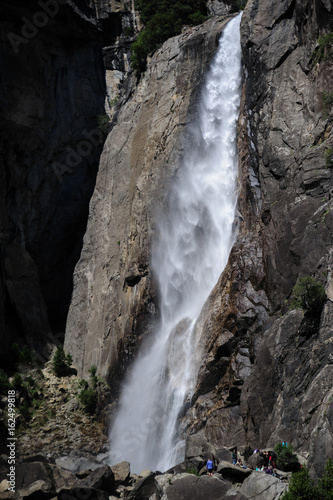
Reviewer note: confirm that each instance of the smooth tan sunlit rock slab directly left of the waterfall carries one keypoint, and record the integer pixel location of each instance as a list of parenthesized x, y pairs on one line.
[(114, 299)]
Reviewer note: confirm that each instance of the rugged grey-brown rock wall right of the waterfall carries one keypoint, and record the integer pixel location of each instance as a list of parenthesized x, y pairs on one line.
[(267, 374)]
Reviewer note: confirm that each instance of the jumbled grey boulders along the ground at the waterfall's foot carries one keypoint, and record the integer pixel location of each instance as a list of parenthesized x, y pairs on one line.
[(37, 479)]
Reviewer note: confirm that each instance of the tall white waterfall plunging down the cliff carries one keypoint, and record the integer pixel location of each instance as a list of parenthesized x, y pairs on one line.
[(195, 238)]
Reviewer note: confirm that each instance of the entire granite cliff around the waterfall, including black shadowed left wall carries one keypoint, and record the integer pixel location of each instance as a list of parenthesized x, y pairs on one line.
[(266, 375)]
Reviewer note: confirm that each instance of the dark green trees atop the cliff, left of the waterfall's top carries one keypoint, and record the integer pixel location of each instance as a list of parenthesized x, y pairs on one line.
[(163, 19)]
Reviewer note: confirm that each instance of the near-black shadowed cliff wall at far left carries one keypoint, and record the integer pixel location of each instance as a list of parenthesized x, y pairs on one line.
[(52, 88)]
